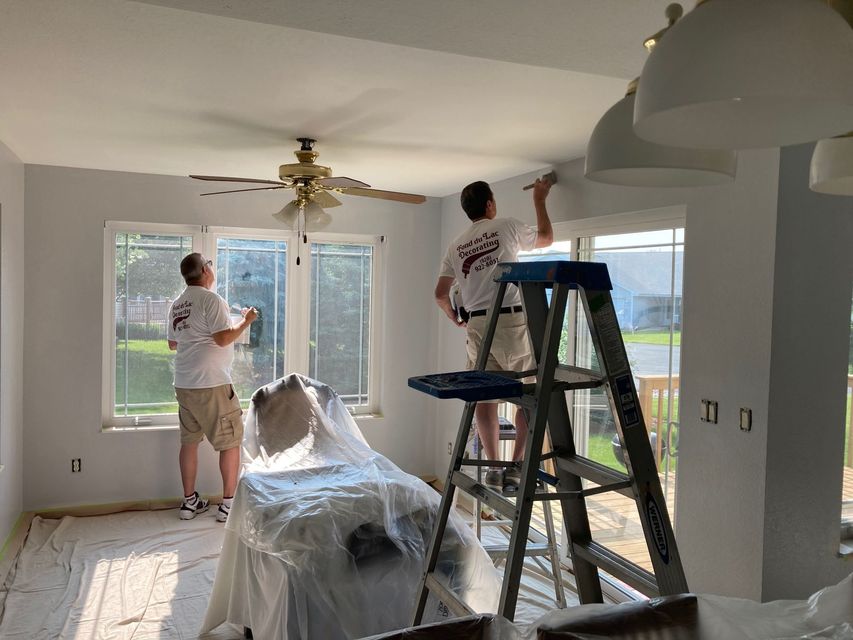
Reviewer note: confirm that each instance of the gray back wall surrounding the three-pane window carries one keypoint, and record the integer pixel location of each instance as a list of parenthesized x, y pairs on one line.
[(66, 210)]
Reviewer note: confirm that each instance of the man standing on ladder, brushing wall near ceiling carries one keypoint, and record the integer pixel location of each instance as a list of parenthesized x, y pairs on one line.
[(470, 261)]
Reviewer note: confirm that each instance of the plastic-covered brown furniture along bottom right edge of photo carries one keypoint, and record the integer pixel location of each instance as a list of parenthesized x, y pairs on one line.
[(827, 615)]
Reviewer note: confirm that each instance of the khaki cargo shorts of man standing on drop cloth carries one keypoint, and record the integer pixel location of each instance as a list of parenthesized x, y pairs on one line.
[(214, 413)]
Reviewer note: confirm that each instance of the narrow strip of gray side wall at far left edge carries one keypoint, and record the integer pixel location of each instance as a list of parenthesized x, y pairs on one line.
[(11, 339)]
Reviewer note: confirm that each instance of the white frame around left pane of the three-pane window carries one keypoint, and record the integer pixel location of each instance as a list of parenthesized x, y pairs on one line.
[(108, 373)]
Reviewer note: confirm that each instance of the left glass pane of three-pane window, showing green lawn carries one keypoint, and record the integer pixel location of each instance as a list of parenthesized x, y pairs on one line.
[(147, 279)]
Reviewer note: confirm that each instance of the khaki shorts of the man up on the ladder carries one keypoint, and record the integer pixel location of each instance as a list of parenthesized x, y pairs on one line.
[(511, 349)]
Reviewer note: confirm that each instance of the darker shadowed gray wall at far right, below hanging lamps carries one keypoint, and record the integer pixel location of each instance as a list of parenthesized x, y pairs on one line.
[(813, 283)]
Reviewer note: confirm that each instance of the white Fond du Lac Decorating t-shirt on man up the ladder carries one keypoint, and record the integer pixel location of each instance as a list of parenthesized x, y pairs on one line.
[(473, 257)]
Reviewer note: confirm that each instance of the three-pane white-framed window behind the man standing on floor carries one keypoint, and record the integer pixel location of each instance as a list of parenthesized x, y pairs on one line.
[(318, 318)]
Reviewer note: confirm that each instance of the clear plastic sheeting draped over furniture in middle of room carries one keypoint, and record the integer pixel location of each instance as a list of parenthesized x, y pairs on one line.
[(327, 538)]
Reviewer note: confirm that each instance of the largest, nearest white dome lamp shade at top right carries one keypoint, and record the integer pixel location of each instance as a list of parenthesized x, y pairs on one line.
[(737, 74)]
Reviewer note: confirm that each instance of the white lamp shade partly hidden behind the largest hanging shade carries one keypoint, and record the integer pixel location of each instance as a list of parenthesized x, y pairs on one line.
[(615, 155)]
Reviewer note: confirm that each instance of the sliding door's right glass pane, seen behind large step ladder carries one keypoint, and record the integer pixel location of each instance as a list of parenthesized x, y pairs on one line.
[(646, 271)]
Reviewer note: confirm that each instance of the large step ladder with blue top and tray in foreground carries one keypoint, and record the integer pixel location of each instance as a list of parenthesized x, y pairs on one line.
[(545, 402)]
